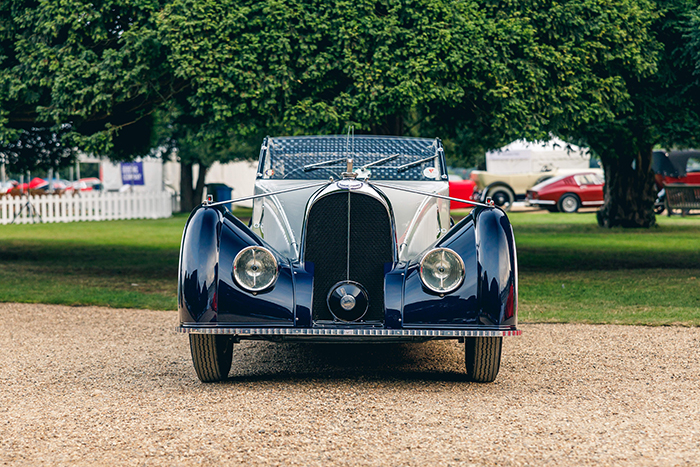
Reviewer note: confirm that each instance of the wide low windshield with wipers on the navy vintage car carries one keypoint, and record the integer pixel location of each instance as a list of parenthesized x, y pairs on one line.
[(376, 157)]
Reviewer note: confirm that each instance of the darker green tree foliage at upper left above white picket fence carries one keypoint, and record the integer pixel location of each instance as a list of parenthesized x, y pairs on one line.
[(97, 66)]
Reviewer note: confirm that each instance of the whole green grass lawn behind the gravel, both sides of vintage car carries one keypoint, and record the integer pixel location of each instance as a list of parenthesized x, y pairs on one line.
[(570, 270)]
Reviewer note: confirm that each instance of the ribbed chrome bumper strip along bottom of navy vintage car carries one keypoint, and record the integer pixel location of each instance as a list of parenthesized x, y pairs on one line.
[(245, 332)]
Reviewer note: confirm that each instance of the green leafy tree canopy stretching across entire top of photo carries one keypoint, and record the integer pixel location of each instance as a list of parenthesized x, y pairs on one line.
[(212, 76)]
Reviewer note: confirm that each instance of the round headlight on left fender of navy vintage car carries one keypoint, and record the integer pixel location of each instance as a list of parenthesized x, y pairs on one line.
[(255, 268)]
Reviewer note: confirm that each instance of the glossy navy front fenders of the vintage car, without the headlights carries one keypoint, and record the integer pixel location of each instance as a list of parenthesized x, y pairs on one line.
[(208, 294)]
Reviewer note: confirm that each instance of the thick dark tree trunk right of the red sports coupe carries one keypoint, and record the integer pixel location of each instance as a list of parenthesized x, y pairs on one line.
[(629, 190)]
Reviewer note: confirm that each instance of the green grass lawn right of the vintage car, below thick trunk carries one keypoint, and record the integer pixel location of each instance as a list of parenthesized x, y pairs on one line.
[(573, 271)]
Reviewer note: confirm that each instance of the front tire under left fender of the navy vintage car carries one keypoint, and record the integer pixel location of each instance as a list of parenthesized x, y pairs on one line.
[(211, 356)]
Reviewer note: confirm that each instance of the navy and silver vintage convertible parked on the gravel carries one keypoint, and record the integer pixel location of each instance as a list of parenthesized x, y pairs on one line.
[(350, 240)]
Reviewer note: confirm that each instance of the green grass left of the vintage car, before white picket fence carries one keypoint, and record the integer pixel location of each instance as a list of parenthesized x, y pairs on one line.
[(113, 263)]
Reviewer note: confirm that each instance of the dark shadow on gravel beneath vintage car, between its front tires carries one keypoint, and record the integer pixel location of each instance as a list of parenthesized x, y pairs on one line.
[(430, 361)]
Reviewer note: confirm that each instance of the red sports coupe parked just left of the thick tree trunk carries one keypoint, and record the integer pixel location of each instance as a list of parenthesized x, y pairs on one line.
[(567, 193)]
